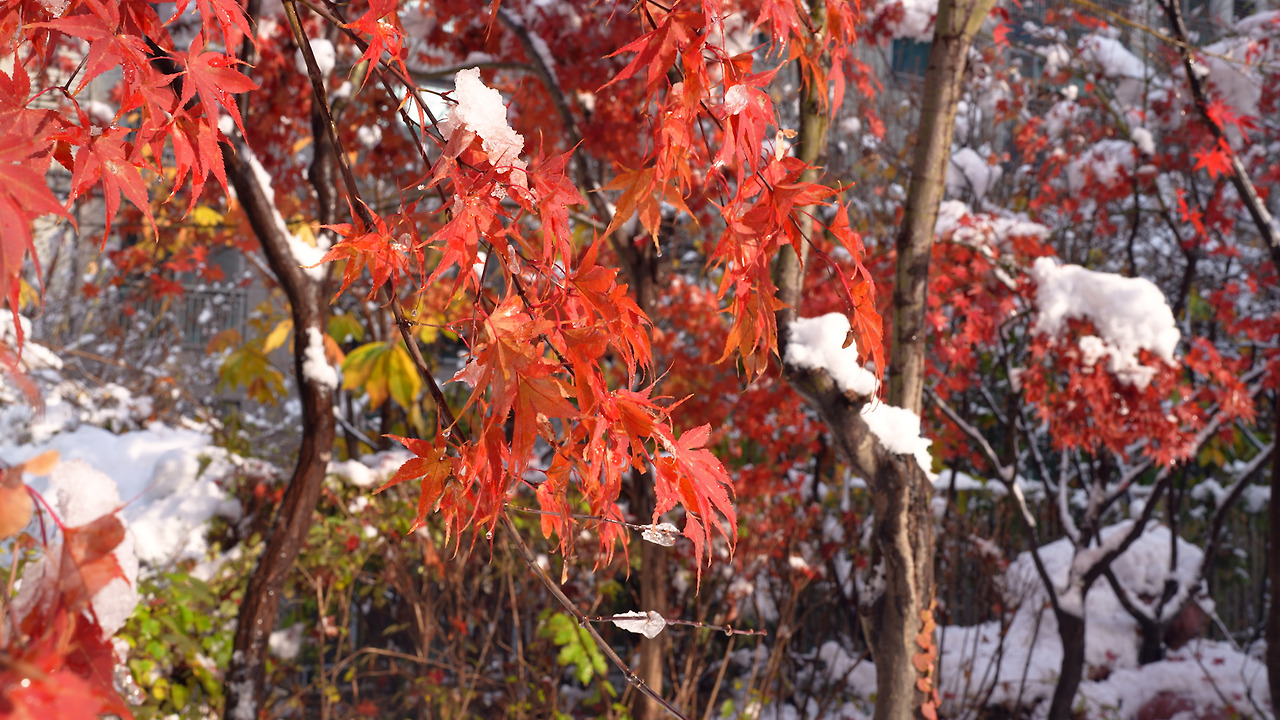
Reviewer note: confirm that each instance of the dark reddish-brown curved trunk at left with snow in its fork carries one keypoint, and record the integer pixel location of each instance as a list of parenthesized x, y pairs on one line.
[(246, 676)]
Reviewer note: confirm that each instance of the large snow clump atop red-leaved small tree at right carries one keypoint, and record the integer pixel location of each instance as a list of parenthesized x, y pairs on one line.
[(1131, 315)]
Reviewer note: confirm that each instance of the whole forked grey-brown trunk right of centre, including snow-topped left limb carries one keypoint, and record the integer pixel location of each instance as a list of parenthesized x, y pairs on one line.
[(898, 622)]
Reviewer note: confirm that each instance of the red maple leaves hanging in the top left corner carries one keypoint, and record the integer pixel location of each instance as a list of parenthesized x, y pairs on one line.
[(44, 120)]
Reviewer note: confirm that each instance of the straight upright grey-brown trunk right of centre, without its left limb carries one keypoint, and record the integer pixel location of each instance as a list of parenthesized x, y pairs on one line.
[(899, 623)]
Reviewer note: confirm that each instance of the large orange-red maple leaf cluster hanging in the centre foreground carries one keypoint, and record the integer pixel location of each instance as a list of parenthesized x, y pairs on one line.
[(559, 352)]
